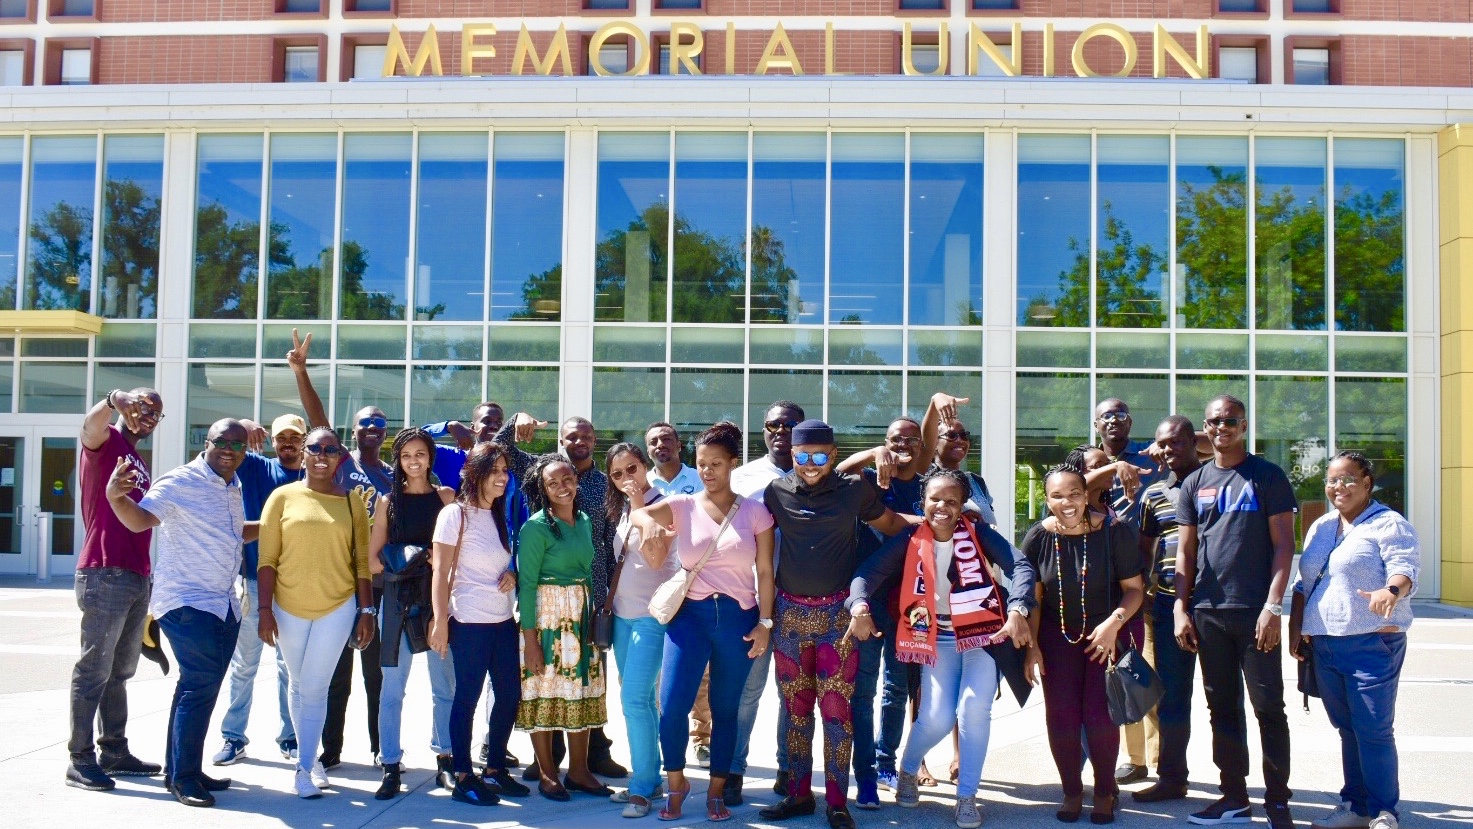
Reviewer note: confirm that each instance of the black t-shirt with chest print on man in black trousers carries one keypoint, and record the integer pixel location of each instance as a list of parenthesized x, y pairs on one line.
[(1231, 509)]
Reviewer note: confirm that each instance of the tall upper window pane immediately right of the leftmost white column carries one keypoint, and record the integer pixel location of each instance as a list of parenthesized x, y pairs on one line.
[(228, 227)]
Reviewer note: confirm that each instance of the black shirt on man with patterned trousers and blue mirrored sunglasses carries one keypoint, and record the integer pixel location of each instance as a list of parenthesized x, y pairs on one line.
[(820, 531)]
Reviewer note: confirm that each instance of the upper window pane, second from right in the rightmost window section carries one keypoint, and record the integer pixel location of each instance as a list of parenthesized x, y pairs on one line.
[(1291, 217)]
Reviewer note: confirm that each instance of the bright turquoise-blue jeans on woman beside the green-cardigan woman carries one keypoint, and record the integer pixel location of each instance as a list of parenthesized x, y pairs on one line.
[(639, 653)]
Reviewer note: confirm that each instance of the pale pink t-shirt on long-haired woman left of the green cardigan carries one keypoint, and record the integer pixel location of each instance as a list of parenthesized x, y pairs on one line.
[(475, 597)]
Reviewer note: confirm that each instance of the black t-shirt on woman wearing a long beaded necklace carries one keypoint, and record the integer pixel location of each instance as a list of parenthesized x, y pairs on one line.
[(1113, 556)]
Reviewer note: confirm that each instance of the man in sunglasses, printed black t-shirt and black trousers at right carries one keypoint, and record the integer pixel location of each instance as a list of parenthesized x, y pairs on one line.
[(1235, 547)]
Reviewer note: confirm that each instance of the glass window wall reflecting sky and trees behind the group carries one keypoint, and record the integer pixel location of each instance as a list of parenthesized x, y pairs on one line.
[(843, 270)]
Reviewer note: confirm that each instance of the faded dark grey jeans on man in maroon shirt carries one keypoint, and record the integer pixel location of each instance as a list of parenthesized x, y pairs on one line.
[(116, 607)]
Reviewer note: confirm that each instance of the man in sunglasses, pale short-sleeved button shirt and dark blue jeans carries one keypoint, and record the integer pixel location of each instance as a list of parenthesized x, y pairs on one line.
[(201, 516)]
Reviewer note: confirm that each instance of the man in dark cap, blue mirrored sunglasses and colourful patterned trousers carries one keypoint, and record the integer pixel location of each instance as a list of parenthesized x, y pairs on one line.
[(818, 515)]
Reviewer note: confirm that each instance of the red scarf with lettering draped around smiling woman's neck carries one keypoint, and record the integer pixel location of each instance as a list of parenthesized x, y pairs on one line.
[(977, 610)]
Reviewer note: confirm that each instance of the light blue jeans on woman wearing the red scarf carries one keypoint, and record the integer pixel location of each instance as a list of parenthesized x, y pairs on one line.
[(957, 691)]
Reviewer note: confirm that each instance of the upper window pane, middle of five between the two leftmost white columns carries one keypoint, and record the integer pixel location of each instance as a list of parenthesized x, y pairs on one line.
[(376, 226)]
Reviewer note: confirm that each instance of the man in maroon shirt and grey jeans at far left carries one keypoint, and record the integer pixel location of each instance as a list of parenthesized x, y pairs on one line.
[(113, 593)]
